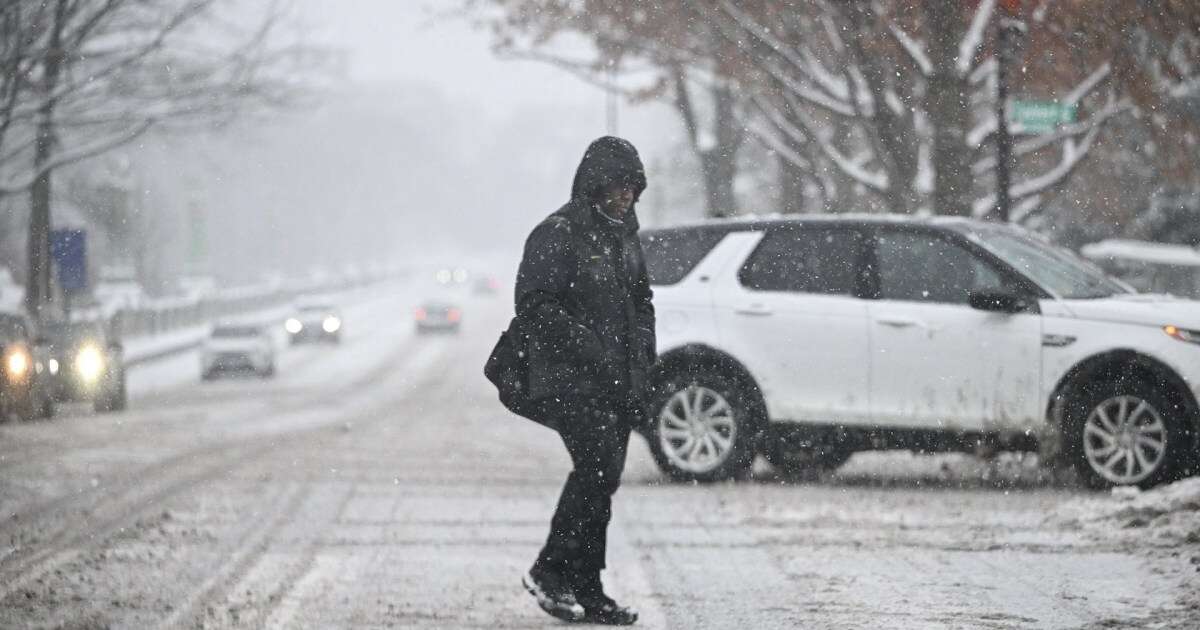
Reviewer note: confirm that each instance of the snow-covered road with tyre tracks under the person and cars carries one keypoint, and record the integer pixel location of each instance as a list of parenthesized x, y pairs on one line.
[(379, 485)]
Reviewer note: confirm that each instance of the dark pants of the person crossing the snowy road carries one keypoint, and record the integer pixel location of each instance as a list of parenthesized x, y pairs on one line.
[(597, 437)]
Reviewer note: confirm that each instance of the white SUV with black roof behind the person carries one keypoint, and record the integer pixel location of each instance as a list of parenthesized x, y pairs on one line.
[(811, 339)]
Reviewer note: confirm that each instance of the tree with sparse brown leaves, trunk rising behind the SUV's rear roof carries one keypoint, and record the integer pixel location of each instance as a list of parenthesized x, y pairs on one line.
[(664, 51)]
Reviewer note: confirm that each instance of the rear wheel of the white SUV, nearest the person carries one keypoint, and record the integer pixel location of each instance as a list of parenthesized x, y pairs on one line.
[(703, 428)]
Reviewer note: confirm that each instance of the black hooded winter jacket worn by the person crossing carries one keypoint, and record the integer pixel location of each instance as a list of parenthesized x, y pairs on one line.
[(583, 292)]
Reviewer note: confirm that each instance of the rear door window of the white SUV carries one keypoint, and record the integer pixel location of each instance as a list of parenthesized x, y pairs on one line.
[(821, 261)]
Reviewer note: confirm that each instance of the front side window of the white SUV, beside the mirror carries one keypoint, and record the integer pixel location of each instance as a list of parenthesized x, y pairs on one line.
[(926, 268)]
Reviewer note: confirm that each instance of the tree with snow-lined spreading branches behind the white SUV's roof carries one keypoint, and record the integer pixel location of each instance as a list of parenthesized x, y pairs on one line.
[(913, 82)]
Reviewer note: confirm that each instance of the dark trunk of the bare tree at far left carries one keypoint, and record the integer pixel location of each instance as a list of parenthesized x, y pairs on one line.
[(38, 287)]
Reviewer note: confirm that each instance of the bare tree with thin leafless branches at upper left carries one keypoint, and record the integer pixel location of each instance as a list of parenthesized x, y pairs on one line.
[(87, 76)]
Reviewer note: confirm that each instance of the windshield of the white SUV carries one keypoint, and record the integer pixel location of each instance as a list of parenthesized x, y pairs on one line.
[(1053, 268)]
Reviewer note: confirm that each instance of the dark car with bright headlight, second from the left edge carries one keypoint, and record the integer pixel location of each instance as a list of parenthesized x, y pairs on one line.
[(86, 365)]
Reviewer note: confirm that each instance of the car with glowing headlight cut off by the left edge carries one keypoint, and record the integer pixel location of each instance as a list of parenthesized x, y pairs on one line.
[(23, 371)]
